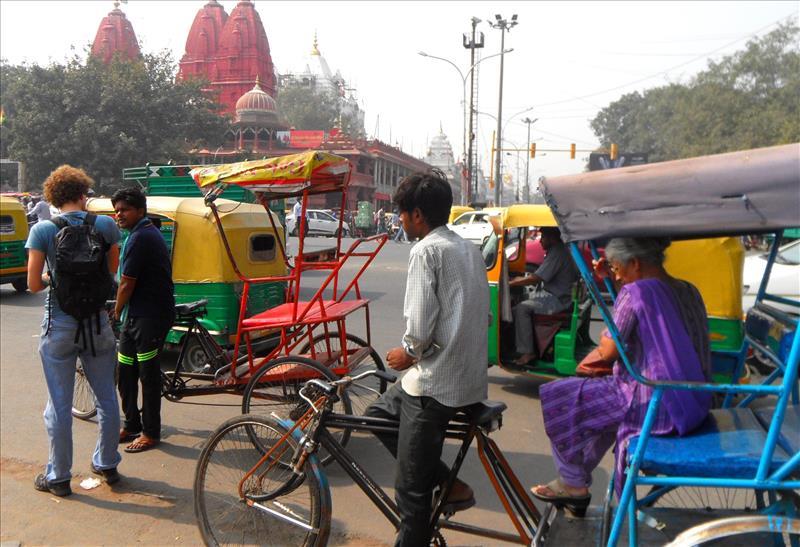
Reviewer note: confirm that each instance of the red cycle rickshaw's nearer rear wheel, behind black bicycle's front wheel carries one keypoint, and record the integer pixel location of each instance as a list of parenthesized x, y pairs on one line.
[(275, 388)]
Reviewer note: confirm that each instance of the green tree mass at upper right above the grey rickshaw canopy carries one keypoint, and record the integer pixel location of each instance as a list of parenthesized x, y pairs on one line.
[(747, 100)]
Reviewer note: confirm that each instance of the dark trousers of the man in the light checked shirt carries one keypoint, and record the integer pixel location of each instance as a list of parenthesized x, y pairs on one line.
[(418, 449)]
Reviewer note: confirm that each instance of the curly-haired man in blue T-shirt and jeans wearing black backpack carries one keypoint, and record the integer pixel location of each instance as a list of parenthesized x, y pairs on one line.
[(59, 343)]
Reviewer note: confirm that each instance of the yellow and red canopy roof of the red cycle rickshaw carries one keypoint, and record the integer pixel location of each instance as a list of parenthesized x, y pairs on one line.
[(282, 176)]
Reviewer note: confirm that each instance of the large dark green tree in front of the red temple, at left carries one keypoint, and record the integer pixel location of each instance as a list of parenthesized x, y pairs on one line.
[(103, 118)]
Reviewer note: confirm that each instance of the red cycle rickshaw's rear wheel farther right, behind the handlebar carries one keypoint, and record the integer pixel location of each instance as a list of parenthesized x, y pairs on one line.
[(367, 390)]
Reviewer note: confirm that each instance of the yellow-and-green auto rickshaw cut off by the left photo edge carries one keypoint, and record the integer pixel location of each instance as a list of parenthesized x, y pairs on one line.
[(13, 234)]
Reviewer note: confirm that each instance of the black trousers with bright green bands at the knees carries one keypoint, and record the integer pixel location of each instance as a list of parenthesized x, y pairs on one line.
[(139, 350)]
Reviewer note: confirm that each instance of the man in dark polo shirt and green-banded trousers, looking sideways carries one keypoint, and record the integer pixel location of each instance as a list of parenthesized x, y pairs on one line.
[(146, 307)]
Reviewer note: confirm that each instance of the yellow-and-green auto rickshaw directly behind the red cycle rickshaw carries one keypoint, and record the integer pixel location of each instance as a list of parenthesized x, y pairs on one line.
[(200, 267)]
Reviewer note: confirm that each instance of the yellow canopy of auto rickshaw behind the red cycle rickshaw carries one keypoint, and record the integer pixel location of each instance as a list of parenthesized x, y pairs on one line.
[(198, 255)]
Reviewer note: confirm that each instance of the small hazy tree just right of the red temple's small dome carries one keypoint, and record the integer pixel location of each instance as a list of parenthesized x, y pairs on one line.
[(307, 109)]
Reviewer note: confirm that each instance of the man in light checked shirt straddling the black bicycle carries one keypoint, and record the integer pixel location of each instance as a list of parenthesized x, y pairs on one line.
[(443, 352)]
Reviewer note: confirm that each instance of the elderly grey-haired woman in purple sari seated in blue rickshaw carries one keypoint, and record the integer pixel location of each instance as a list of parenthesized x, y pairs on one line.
[(663, 324)]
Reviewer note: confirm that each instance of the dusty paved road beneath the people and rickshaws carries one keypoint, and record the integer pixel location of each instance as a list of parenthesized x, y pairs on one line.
[(153, 503)]
